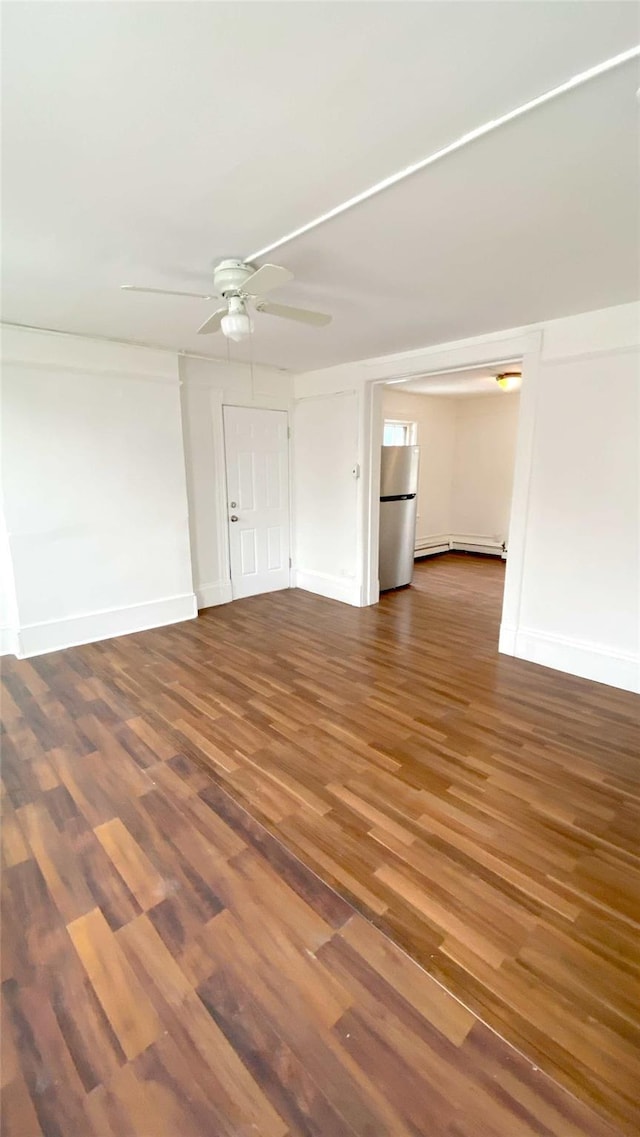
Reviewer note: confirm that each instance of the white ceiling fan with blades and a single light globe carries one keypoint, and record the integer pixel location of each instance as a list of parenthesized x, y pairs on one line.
[(239, 285)]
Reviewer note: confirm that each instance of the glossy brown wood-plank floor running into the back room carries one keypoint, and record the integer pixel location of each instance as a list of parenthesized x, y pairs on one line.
[(171, 967)]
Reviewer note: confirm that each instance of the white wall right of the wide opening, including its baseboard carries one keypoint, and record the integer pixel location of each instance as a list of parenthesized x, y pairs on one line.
[(580, 585)]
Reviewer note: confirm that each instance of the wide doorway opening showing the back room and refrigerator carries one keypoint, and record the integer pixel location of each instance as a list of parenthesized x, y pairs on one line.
[(453, 435)]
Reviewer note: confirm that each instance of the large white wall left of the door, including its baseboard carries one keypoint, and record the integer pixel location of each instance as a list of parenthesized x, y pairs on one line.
[(94, 489)]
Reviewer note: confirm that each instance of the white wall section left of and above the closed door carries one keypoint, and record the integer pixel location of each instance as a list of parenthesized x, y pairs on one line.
[(206, 387)]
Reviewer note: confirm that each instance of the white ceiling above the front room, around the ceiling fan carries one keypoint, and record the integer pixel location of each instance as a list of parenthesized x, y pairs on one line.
[(144, 142)]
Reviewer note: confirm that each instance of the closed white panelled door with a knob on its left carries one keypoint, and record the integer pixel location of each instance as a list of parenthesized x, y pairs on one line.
[(257, 483)]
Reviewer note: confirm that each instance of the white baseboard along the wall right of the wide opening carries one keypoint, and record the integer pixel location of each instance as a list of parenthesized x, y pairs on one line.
[(577, 658)]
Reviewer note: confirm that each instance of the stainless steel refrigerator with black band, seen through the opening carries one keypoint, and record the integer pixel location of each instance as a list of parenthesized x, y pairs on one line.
[(398, 504)]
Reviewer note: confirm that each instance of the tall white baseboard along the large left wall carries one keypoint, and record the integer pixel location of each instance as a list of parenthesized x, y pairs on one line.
[(56, 635)]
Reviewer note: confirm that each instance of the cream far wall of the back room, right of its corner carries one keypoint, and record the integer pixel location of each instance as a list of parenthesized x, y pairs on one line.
[(485, 449)]
